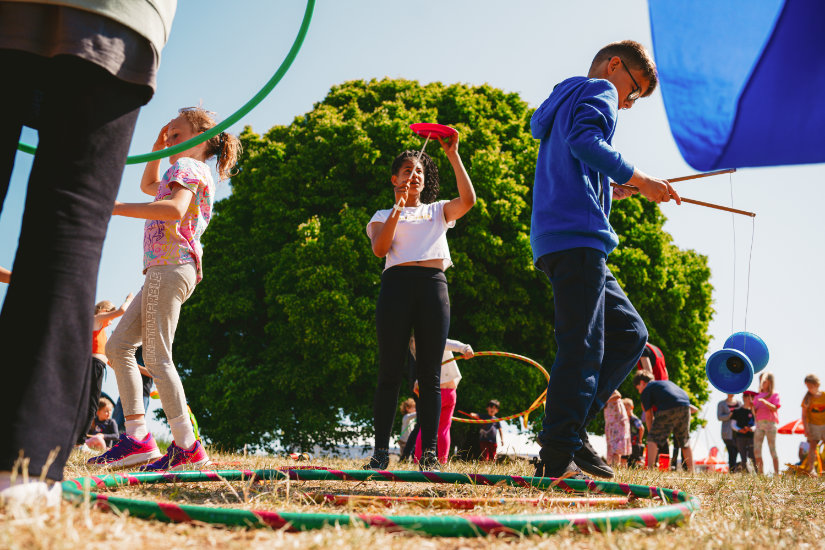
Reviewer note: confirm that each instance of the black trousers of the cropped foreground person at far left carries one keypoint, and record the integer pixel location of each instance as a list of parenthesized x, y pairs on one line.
[(85, 118)]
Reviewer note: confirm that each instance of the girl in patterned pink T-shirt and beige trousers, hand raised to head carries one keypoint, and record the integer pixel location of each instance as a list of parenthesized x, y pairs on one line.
[(173, 264)]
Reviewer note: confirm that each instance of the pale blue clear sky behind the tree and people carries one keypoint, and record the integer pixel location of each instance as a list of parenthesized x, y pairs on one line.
[(221, 56)]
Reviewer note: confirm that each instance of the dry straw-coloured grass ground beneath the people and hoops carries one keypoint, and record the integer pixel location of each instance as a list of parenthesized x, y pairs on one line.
[(738, 511)]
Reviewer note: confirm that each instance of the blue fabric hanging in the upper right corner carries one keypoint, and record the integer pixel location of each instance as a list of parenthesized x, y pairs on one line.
[(742, 80)]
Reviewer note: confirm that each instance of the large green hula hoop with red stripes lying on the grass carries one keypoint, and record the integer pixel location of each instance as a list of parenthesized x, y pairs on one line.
[(678, 507)]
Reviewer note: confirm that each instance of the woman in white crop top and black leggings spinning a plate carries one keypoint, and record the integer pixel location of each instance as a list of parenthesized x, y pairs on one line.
[(412, 236)]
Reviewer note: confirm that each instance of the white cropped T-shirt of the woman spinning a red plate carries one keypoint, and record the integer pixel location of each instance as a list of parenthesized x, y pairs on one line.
[(421, 234)]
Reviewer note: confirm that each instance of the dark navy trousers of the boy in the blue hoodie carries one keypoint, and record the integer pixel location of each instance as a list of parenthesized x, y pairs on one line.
[(600, 339)]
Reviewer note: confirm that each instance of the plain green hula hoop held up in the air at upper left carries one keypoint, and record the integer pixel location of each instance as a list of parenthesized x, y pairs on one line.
[(234, 117)]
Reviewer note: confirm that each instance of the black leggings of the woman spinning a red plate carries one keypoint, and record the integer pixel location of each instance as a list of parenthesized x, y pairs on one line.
[(412, 299)]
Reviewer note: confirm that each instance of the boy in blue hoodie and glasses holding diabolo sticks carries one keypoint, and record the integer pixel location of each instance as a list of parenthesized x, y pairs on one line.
[(599, 334)]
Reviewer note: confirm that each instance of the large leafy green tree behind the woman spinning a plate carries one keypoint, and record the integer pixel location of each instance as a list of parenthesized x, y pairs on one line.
[(278, 342)]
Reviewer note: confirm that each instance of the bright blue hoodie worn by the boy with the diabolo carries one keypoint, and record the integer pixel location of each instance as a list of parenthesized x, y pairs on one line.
[(575, 125)]
